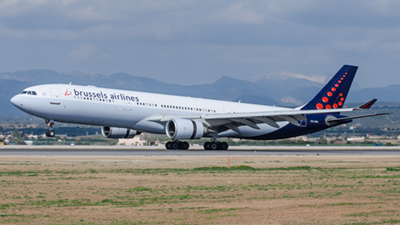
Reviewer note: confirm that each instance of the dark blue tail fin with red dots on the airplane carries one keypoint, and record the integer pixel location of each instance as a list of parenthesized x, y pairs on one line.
[(335, 91)]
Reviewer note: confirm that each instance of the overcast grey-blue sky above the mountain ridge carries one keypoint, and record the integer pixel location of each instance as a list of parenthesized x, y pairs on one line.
[(191, 42)]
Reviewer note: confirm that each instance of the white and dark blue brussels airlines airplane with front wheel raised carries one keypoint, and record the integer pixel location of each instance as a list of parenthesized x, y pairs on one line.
[(124, 114)]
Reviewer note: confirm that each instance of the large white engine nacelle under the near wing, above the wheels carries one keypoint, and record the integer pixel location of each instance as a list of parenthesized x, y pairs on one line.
[(184, 129)]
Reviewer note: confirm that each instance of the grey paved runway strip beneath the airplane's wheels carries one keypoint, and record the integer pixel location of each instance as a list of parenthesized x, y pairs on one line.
[(87, 151)]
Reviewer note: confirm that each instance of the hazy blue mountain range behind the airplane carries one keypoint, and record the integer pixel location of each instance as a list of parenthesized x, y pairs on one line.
[(279, 88)]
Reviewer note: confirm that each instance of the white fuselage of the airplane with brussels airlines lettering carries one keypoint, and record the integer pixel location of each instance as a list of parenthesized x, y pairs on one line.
[(127, 109)]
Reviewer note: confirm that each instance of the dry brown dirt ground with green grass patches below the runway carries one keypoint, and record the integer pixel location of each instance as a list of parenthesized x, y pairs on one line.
[(199, 190)]
